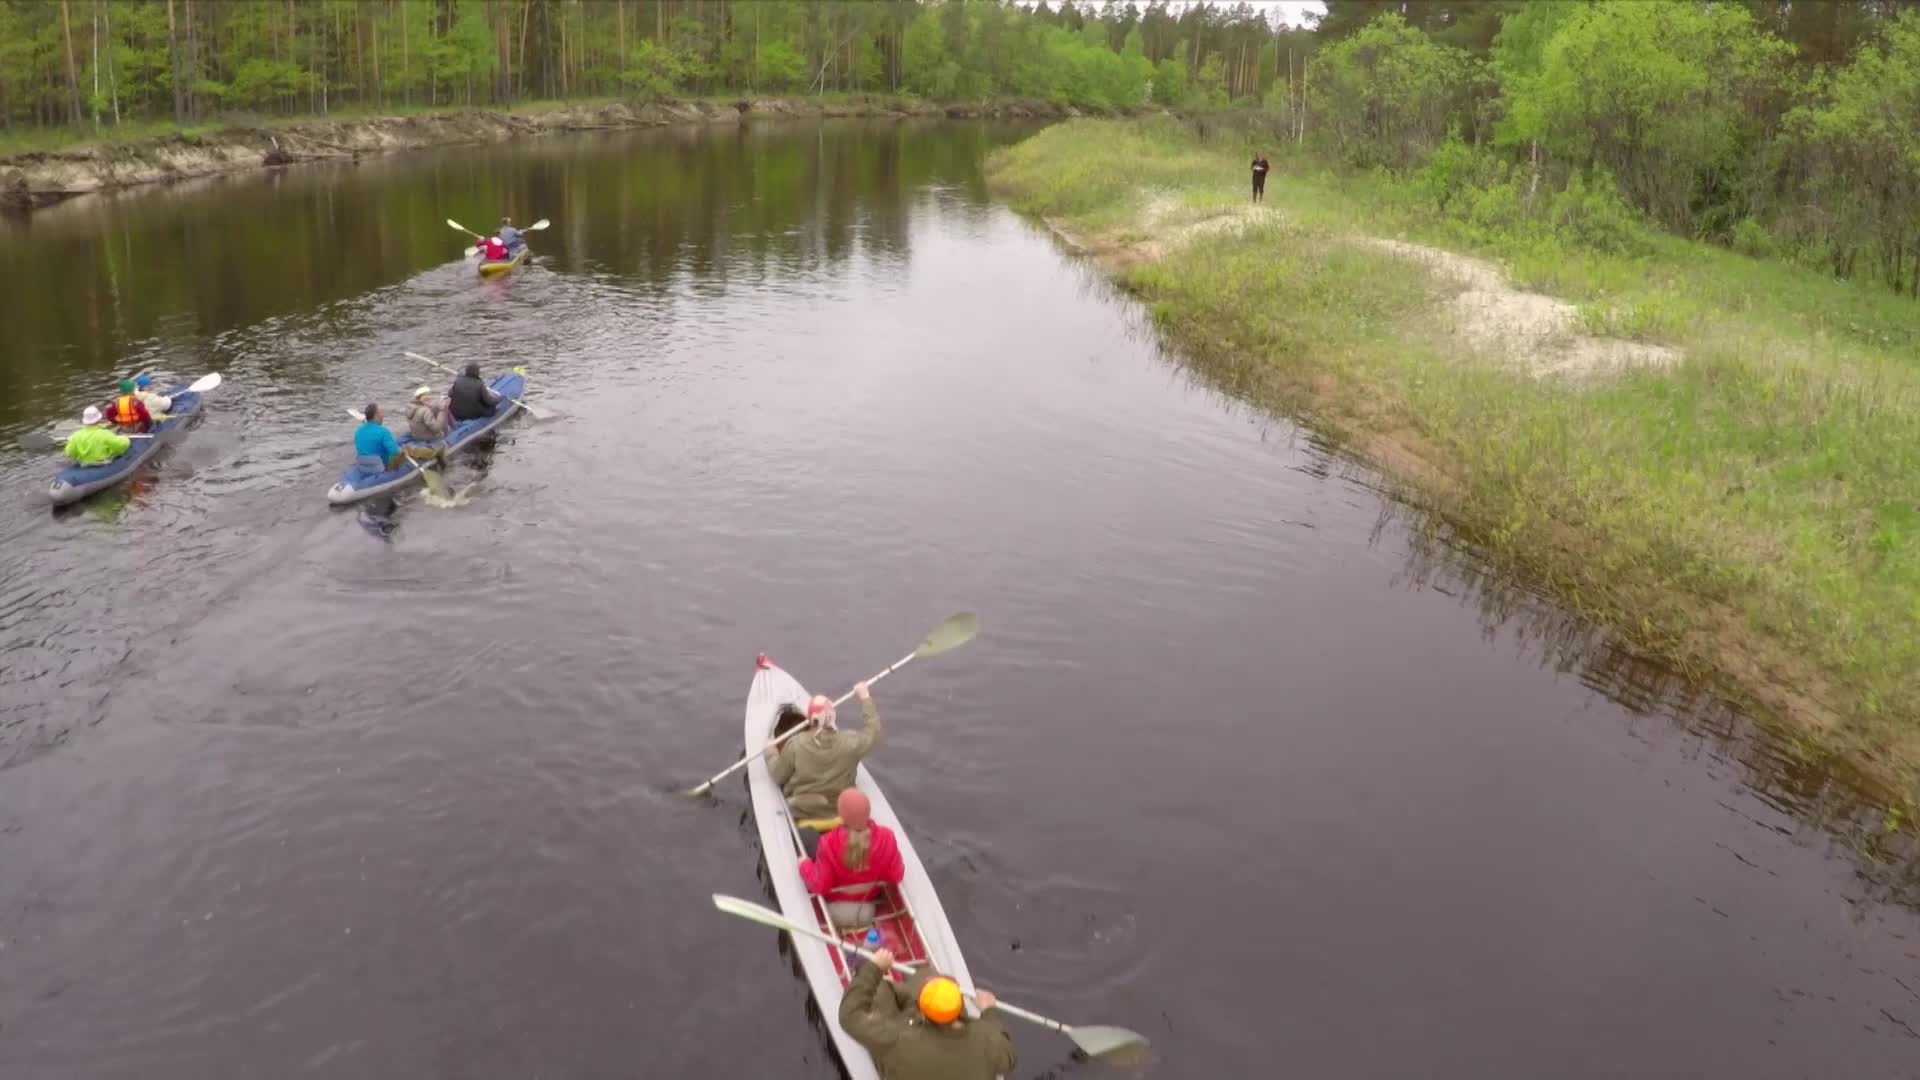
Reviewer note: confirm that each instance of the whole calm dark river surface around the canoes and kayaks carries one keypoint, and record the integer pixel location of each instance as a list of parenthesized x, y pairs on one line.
[(1245, 758)]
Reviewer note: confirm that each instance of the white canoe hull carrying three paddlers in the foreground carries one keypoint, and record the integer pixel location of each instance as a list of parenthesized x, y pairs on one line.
[(911, 918)]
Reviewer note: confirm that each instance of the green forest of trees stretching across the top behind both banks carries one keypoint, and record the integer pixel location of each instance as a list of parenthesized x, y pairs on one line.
[(1783, 128)]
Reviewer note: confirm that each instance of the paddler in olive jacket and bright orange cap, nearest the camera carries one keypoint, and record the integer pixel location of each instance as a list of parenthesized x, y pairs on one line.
[(917, 1031)]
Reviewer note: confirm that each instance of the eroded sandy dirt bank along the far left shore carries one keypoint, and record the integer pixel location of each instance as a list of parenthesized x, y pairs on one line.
[(47, 178)]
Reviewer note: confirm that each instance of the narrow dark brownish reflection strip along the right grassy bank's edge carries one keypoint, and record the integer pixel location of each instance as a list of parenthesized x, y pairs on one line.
[(1821, 791)]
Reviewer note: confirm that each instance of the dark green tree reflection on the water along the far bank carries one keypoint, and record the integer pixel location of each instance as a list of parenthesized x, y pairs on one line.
[(149, 278)]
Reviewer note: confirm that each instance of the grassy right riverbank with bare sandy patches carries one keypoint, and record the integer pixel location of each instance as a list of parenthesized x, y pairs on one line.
[(1737, 487)]
